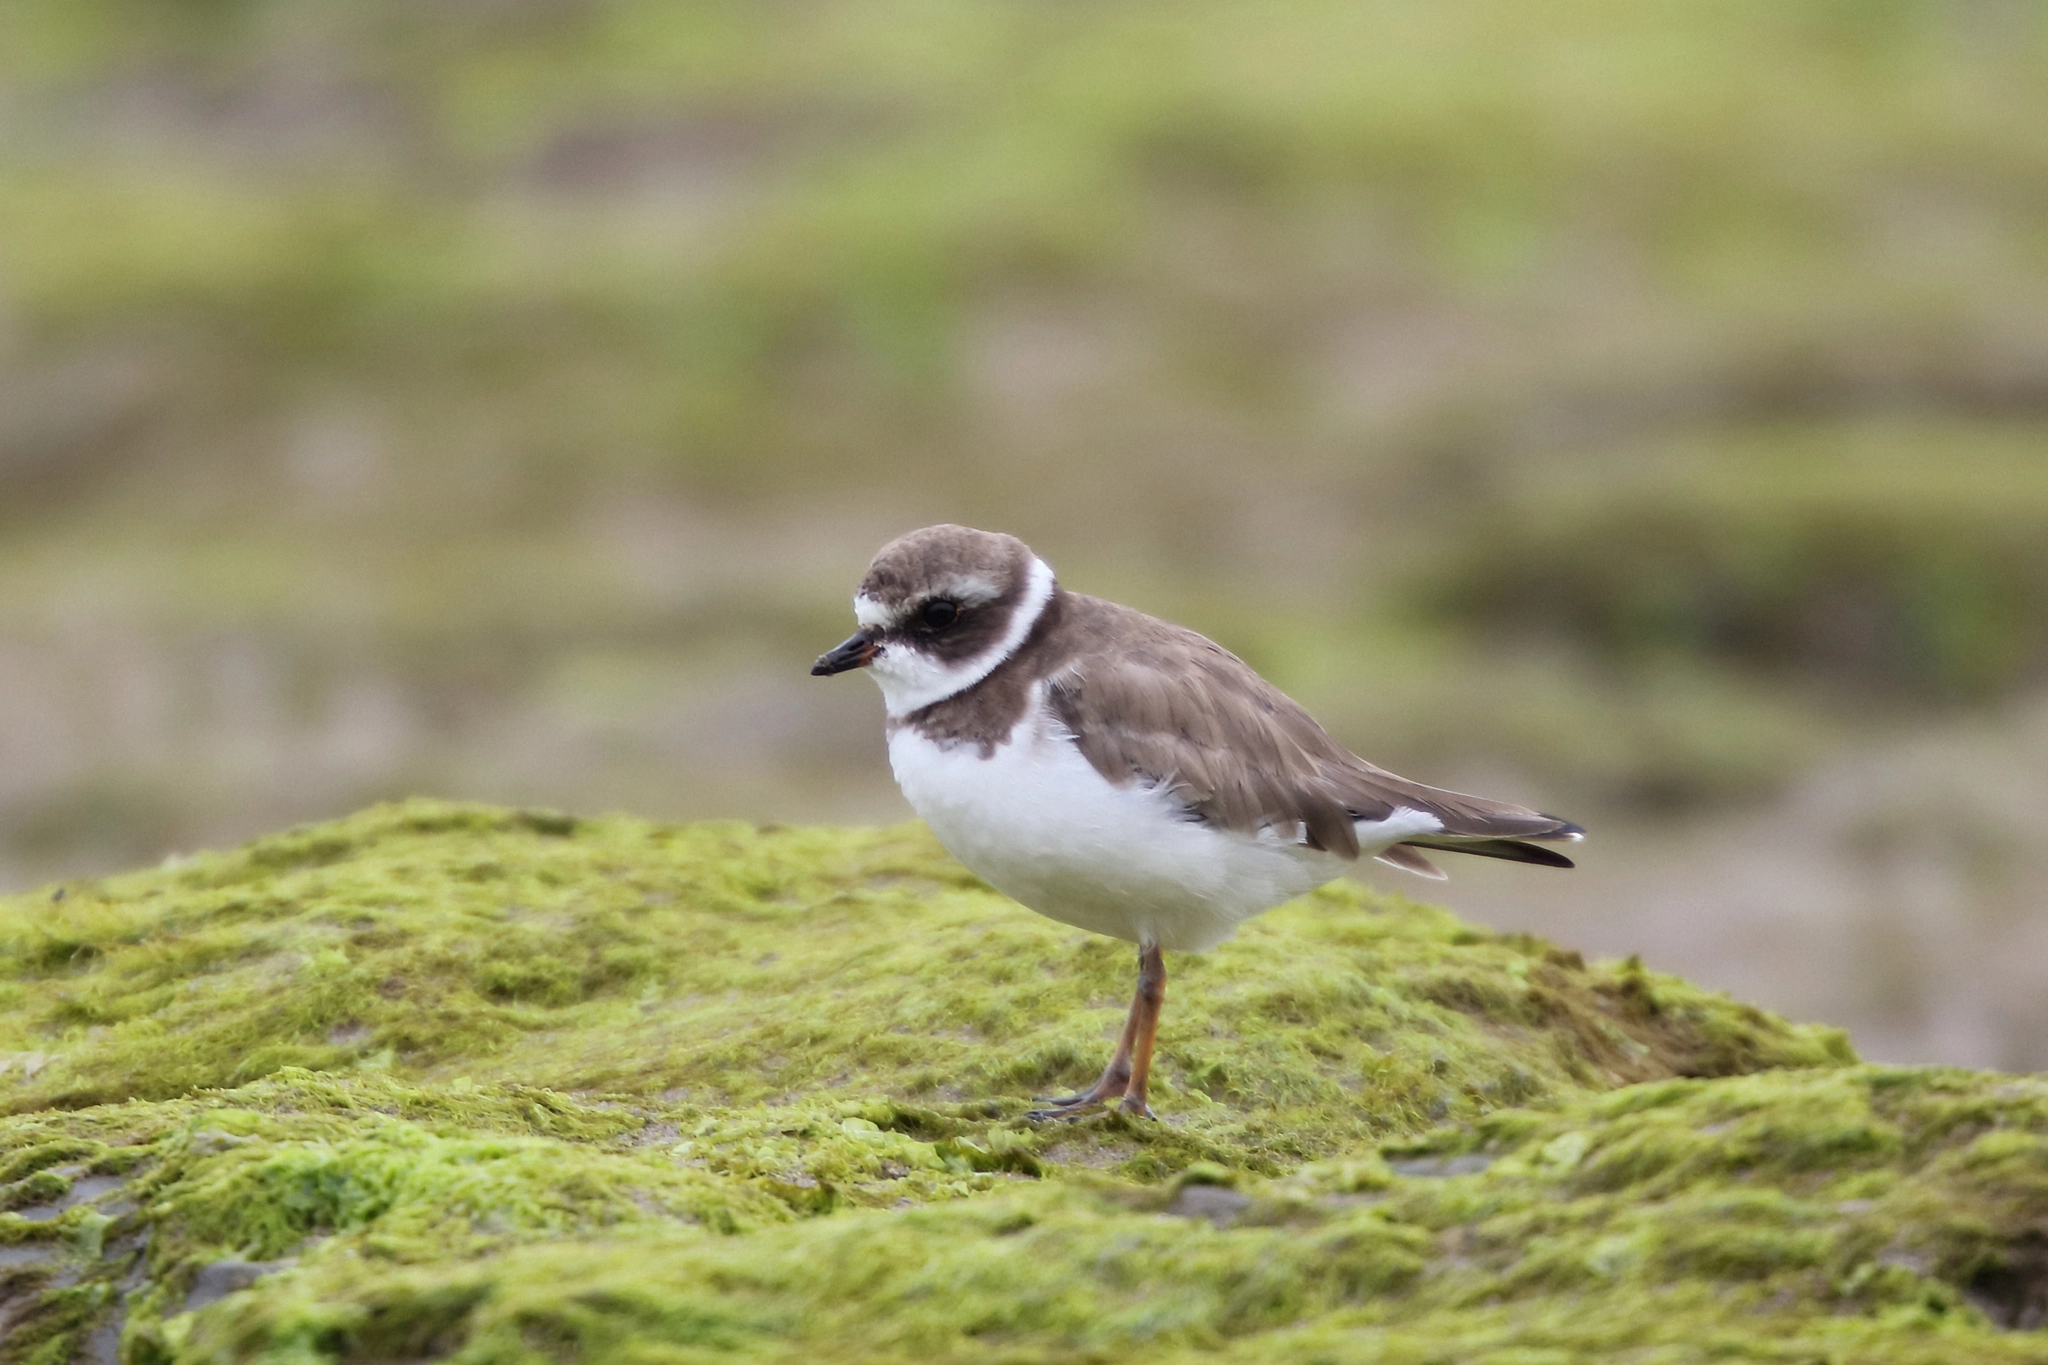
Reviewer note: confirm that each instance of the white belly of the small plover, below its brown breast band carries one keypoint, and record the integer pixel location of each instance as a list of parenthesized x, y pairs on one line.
[(1041, 826)]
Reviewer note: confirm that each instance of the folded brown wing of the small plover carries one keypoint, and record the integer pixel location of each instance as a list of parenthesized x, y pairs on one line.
[(1160, 705)]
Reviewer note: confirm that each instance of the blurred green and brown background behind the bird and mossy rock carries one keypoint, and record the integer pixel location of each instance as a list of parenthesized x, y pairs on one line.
[(1635, 410)]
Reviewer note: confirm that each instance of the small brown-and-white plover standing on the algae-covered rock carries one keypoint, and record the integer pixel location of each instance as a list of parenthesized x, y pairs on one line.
[(1121, 775)]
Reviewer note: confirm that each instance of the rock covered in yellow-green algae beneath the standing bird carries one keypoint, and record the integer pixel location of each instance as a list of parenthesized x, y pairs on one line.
[(454, 1082)]
